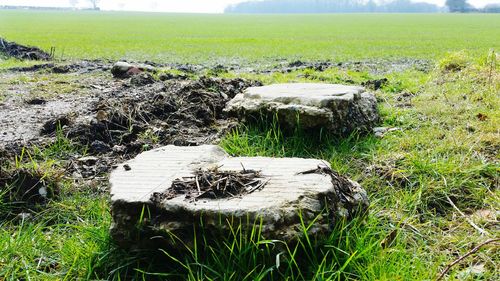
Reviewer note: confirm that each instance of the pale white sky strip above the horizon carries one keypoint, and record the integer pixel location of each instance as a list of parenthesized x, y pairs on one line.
[(176, 6)]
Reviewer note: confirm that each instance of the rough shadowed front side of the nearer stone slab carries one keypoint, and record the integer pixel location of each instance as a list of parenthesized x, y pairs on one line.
[(144, 224)]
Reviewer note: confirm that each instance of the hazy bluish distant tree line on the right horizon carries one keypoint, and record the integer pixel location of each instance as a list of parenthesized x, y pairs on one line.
[(353, 6)]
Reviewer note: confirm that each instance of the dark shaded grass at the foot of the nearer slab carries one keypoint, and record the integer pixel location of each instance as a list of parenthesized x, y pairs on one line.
[(238, 254)]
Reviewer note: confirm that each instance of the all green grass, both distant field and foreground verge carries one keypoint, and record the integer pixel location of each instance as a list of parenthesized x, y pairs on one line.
[(445, 148)]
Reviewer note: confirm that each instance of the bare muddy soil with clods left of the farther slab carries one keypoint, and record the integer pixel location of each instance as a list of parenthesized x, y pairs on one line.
[(114, 118)]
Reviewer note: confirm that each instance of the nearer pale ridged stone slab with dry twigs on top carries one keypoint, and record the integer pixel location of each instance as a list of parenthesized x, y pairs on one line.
[(287, 195)]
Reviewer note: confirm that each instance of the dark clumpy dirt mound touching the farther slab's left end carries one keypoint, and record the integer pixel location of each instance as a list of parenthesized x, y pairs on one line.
[(174, 112)]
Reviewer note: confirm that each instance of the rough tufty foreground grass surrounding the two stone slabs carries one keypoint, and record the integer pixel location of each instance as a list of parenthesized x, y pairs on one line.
[(445, 149)]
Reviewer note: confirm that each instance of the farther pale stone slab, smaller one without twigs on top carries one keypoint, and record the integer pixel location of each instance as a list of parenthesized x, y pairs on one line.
[(338, 108)]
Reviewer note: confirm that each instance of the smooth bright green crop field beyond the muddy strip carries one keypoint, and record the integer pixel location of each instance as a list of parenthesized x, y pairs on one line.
[(250, 38)]
